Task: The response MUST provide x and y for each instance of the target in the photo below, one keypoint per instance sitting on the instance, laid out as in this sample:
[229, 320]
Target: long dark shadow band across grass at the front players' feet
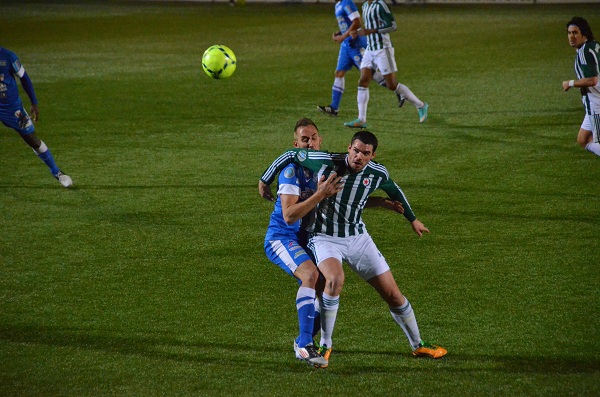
[166, 347]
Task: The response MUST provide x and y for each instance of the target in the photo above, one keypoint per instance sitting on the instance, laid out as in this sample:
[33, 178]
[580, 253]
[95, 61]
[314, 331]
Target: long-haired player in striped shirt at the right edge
[587, 70]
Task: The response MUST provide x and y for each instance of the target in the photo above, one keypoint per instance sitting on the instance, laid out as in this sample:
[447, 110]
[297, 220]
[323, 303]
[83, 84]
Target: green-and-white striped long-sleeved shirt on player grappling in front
[341, 215]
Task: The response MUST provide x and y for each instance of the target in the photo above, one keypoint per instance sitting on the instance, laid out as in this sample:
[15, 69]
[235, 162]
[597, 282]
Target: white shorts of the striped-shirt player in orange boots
[359, 252]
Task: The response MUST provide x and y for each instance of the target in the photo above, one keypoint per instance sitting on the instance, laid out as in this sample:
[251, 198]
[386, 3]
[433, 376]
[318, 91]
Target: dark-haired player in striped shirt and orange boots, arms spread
[339, 233]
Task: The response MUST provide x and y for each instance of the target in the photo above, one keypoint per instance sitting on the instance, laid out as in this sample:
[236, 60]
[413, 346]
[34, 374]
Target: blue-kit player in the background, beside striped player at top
[350, 54]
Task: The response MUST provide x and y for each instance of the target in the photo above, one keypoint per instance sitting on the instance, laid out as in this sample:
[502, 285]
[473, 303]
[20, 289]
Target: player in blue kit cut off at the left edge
[13, 114]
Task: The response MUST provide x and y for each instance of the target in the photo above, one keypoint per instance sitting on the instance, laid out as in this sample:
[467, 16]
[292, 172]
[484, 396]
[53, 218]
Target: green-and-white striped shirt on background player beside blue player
[377, 15]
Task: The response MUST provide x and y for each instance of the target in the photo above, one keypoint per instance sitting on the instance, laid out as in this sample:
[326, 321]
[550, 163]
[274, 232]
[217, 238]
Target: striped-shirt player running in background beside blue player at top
[379, 55]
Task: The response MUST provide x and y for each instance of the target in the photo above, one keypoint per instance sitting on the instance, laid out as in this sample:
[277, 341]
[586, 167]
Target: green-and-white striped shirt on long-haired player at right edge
[587, 65]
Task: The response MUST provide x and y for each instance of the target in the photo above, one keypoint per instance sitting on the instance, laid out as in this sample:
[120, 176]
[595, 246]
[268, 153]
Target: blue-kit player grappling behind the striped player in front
[298, 193]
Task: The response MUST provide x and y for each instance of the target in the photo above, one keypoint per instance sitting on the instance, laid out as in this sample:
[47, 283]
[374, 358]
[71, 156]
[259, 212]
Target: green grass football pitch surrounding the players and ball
[148, 278]
